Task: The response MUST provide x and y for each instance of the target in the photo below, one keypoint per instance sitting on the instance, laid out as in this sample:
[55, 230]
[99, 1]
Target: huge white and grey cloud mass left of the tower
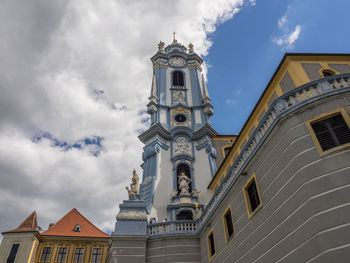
[75, 70]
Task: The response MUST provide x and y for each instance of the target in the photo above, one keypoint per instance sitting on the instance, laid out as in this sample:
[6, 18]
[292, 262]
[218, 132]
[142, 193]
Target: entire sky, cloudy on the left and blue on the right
[75, 77]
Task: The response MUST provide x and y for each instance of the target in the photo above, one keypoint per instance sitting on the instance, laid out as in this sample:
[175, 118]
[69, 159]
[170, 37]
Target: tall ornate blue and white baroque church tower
[178, 157]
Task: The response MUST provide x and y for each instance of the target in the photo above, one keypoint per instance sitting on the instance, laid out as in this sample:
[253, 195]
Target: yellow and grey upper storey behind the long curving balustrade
[295, 70]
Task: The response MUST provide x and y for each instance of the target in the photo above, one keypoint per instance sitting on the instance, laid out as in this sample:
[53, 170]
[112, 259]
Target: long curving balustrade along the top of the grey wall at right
[281, 106]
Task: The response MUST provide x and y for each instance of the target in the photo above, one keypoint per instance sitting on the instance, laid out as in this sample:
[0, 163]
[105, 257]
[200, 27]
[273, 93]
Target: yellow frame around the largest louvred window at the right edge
[322, 117]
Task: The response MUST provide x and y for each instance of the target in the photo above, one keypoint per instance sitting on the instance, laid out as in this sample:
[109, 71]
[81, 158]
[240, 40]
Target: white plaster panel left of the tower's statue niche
[163, 186]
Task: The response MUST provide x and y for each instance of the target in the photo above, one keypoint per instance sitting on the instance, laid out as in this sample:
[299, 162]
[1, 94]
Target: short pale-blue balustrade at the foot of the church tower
[169, 227]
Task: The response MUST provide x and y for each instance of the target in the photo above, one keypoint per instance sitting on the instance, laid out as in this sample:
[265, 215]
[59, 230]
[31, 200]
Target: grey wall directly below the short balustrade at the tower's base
[173, 249]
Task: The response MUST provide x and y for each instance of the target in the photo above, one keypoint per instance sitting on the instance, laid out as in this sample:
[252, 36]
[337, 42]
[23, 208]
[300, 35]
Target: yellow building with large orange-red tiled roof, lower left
[73, 239]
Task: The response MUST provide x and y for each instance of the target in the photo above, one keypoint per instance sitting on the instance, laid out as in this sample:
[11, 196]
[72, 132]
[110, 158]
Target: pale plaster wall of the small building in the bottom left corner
[27, 246]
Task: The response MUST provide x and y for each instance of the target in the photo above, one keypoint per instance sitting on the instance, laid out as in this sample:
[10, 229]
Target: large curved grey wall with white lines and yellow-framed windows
[305, 213]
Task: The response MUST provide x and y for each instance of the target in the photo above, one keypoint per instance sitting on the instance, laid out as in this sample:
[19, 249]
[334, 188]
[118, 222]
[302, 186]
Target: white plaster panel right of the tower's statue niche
[202, 175]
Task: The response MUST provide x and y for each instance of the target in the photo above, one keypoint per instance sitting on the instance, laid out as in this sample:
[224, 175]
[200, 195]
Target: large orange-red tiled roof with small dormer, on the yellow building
[65, 227]
